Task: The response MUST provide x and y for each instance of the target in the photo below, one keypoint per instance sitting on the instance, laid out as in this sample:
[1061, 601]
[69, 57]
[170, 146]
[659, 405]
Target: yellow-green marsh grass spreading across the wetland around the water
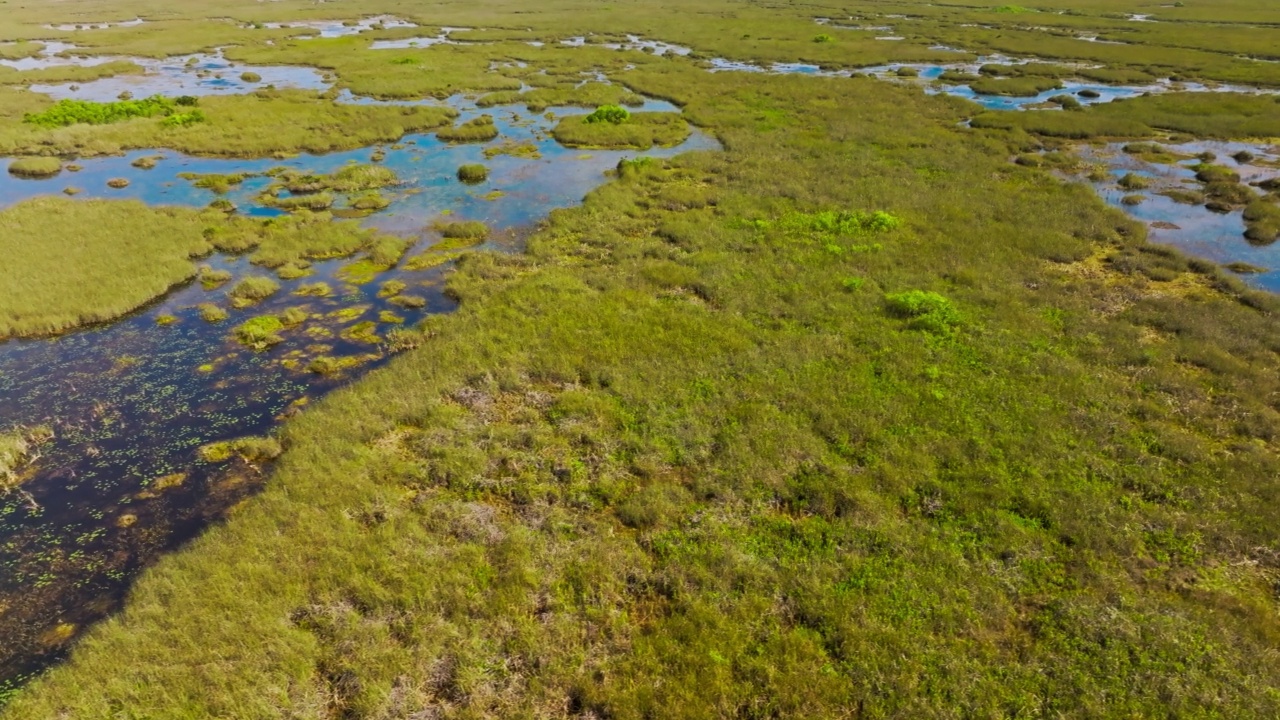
[857, 418]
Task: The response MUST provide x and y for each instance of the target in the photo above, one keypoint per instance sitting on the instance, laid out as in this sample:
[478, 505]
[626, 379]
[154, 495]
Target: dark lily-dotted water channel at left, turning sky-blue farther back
[132, 402]
